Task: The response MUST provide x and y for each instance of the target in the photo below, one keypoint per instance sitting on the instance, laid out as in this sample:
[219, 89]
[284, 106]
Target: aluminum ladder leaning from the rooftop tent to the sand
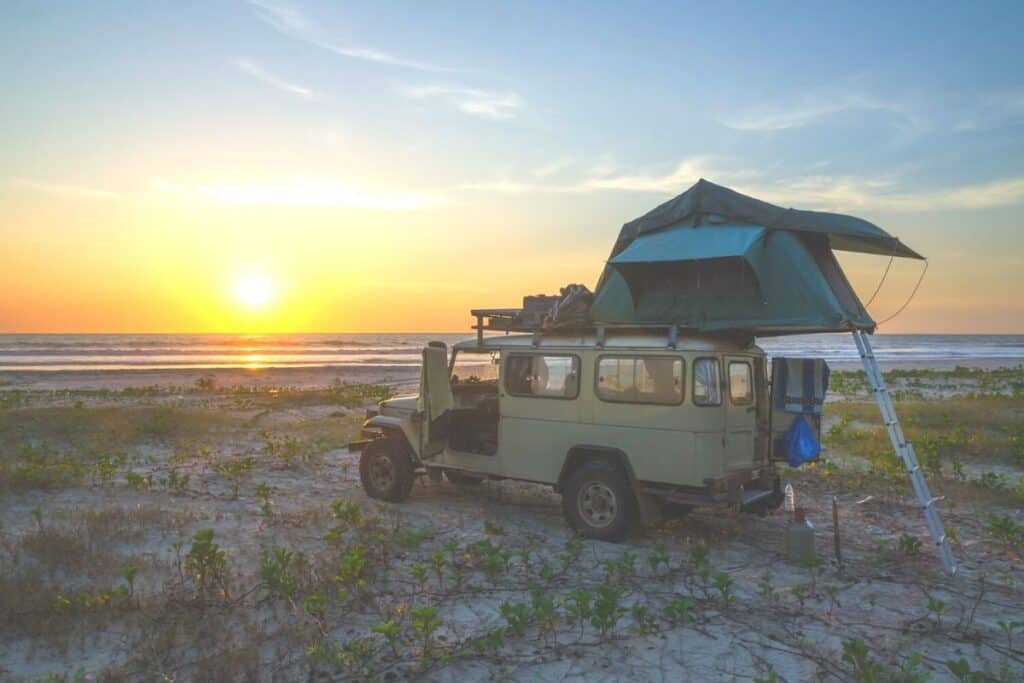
[905, 450]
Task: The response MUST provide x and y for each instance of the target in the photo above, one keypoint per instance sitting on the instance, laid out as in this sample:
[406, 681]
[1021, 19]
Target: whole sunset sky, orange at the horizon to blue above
[286, 166]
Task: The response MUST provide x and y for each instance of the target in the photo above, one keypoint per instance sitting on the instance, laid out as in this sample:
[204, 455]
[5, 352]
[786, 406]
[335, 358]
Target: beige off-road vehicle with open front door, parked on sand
[623, 424]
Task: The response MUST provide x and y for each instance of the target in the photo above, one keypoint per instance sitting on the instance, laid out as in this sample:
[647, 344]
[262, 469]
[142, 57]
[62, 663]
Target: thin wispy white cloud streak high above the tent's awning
[814, 109]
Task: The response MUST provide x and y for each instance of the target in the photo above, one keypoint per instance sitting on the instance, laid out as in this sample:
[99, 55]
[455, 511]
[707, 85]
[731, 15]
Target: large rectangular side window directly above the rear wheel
[641, 380]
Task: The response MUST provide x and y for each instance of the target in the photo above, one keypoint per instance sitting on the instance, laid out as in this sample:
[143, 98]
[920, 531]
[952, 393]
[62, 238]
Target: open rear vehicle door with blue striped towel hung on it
[798, 391]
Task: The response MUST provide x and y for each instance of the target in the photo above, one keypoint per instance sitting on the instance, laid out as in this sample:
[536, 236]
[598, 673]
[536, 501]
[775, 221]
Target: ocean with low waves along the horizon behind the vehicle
[402, 352]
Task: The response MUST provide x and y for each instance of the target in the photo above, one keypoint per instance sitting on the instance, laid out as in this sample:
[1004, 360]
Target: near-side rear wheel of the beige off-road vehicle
[599, 502]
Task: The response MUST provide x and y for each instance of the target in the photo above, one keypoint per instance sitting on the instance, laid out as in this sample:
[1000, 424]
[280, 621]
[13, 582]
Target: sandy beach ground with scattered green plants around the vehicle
[263, 468]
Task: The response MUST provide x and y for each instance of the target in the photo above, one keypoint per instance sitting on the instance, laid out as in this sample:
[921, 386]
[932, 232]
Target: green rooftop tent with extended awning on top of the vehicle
[715, 261]
